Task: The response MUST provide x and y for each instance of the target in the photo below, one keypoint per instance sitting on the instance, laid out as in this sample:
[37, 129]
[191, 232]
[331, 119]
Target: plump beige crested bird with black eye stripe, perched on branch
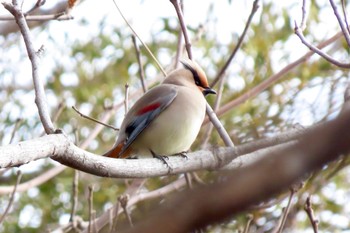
[165, 120]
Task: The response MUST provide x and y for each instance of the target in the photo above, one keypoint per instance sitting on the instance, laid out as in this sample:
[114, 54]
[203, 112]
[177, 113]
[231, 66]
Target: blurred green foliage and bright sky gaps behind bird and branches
[89, 69]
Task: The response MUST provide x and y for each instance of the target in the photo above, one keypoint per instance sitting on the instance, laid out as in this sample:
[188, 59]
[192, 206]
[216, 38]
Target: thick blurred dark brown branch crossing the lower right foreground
[251, 185]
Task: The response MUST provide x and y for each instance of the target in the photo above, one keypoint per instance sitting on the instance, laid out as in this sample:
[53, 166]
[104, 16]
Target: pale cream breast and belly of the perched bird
[177, 127]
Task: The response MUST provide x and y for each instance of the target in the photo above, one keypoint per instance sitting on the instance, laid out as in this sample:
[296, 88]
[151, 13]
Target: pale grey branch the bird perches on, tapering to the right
[62, 150]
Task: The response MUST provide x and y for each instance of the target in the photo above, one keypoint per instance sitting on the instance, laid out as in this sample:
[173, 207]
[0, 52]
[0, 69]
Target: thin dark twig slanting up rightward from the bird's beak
[255, 7]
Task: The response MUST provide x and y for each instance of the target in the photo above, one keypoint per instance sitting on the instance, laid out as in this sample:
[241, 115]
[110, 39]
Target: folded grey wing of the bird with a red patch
[145, 111]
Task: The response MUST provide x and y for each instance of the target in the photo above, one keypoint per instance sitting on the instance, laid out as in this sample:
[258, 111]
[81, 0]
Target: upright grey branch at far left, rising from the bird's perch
[40, 96]
